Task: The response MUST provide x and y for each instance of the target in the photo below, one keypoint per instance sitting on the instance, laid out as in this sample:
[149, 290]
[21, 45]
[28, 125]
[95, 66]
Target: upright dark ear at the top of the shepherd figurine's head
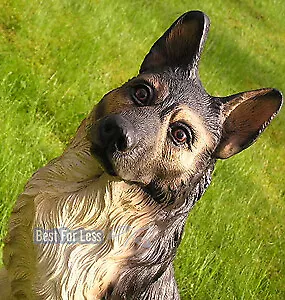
[181, 45]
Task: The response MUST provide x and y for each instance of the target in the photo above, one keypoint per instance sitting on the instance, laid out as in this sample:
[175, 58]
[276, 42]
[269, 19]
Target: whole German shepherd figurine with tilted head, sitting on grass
[104, 220]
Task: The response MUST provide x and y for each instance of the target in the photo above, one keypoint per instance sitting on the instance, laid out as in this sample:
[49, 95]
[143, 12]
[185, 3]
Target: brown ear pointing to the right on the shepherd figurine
[246, 115]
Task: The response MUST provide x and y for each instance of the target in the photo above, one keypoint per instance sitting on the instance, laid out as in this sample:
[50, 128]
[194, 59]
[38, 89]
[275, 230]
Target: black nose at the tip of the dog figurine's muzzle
[116, 133]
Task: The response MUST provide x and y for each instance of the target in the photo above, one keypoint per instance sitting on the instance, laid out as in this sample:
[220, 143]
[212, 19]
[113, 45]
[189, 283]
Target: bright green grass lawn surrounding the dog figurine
[57, 59]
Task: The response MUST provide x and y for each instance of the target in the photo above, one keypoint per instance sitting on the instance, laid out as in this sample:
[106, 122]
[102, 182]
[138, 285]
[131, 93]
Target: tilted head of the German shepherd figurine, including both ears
[162, 126]
